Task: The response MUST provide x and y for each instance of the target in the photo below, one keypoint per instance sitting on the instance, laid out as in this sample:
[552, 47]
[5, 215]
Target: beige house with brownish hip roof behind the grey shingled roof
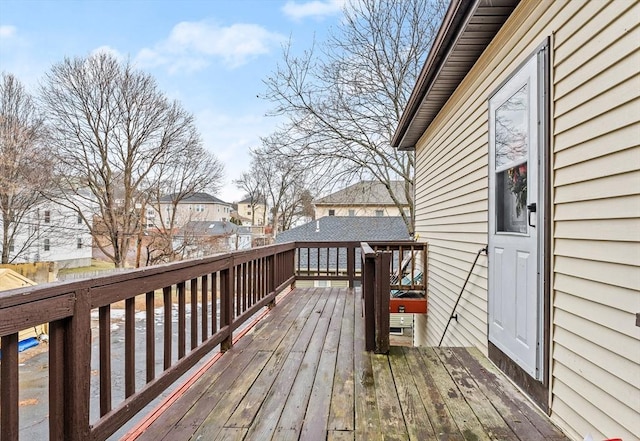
[366, 198]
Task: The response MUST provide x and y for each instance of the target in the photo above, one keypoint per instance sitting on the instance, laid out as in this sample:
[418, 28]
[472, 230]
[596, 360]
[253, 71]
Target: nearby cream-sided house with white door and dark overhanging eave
[526, 138]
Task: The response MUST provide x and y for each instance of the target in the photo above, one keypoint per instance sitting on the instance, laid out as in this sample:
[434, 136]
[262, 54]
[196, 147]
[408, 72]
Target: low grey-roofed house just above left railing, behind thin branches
[204, 238]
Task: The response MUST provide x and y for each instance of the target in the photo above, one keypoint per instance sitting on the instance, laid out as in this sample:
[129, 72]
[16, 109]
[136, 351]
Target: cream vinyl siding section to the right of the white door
[596, 353]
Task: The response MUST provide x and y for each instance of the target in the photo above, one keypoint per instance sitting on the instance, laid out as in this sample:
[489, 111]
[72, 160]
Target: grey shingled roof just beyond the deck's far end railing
[348, 228]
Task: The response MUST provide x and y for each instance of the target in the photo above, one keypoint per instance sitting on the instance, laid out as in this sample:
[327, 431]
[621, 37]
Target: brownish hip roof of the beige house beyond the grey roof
[365, 193]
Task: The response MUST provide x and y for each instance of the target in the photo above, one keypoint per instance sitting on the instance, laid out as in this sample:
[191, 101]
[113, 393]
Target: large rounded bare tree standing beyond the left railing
[114, 132]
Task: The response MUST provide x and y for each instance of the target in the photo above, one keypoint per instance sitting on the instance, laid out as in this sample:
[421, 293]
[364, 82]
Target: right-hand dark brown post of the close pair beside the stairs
[381, 301]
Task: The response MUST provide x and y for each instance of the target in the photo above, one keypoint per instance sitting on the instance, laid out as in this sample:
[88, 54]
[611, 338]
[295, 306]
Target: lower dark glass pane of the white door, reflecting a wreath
[511, 200]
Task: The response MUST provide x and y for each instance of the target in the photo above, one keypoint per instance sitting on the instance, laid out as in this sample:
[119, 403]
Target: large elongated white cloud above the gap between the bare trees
[191, 46]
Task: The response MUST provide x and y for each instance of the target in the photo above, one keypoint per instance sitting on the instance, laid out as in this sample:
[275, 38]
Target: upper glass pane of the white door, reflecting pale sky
[511, 132]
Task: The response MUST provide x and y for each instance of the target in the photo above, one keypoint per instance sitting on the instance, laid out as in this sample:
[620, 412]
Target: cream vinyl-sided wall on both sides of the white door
[595, 237]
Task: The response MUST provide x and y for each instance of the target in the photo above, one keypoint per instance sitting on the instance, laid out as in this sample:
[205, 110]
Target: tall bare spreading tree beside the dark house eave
[344, 104]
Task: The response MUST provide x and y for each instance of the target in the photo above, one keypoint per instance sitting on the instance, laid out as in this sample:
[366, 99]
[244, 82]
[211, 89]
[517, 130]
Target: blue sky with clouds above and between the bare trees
[212, 55]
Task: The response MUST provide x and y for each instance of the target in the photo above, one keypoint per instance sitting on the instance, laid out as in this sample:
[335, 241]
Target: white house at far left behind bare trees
[53, 233]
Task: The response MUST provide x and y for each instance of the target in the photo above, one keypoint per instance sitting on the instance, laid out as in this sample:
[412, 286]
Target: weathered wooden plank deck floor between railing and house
[302, 373]
